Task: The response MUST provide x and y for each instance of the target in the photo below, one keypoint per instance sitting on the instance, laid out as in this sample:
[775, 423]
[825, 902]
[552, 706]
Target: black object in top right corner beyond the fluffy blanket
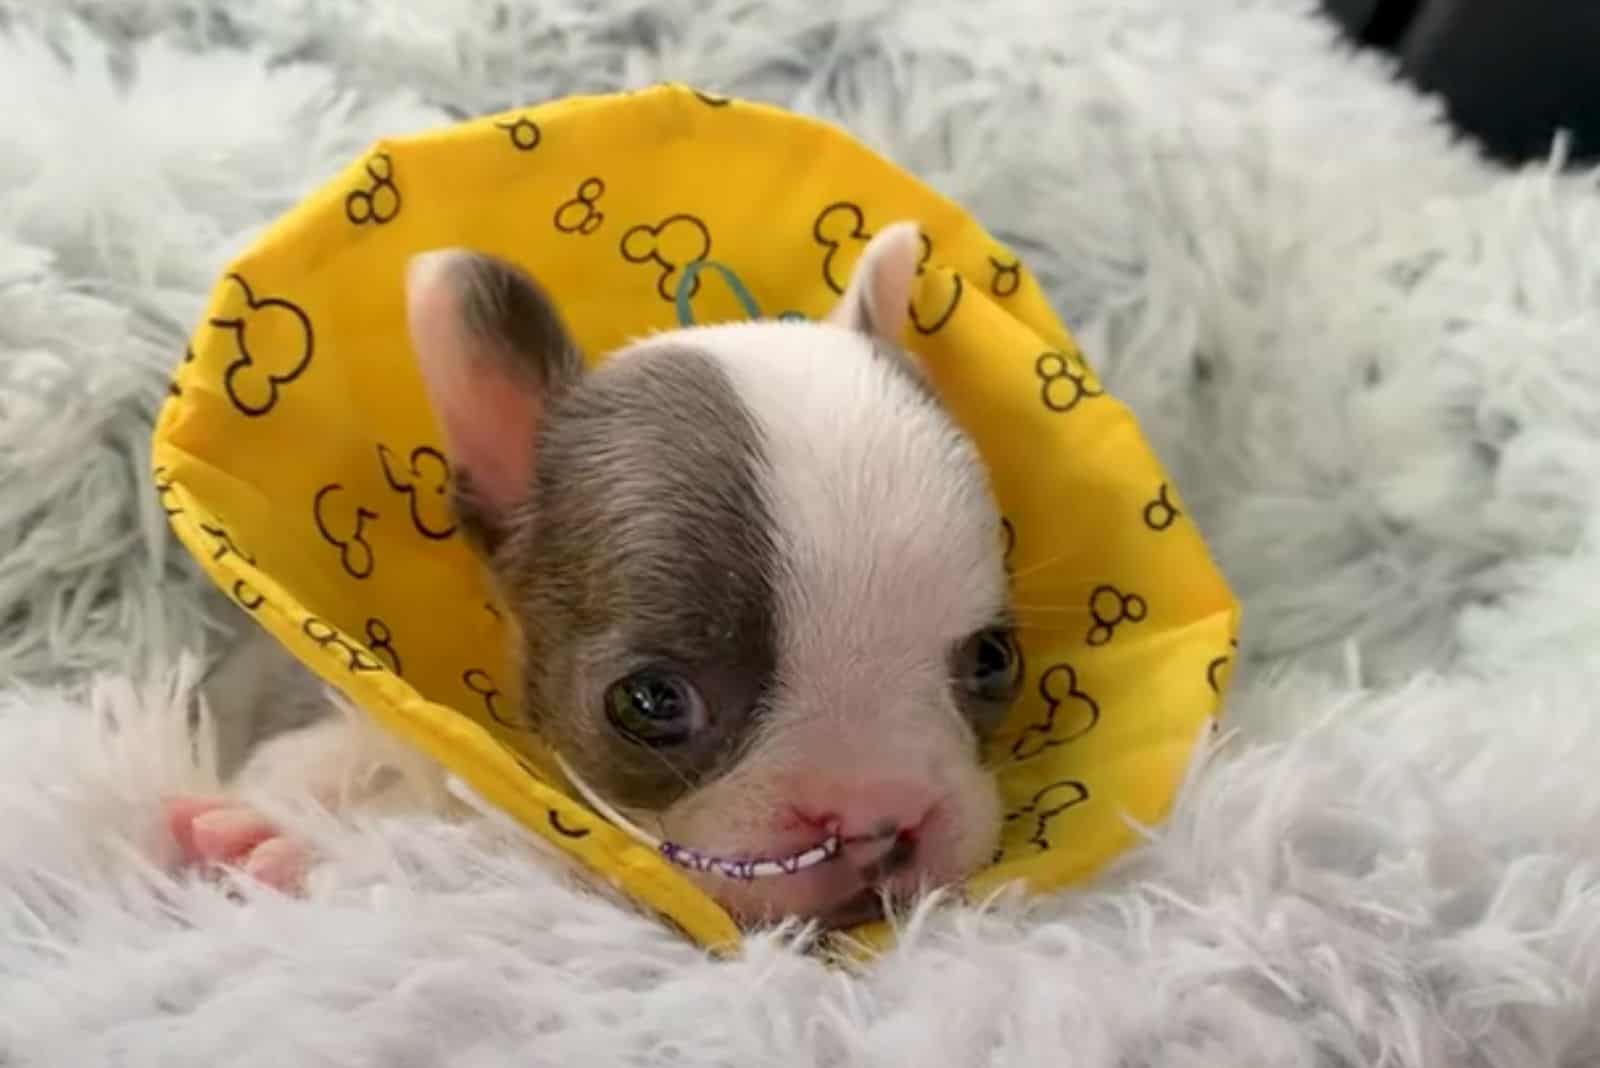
[1513, 73]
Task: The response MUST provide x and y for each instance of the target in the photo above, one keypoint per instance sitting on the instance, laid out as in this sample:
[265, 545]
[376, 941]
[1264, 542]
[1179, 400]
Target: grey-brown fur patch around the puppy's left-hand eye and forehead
[650, 548]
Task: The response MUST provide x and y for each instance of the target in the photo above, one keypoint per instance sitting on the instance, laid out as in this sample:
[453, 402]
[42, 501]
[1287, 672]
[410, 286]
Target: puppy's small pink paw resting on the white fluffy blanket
[217, 834]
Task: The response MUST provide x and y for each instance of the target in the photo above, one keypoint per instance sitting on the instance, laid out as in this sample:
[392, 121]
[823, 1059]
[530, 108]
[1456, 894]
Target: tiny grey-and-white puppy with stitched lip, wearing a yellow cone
[758, 576]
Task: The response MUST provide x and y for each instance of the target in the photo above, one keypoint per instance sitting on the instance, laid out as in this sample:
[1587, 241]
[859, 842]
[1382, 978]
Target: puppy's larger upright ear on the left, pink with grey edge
[494, 353]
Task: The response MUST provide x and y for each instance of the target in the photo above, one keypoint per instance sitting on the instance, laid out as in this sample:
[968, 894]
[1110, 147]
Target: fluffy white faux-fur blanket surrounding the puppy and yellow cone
[1370, 359]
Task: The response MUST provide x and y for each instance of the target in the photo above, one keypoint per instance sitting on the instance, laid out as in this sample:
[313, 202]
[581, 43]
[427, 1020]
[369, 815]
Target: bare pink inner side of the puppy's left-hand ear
[487, 408]
